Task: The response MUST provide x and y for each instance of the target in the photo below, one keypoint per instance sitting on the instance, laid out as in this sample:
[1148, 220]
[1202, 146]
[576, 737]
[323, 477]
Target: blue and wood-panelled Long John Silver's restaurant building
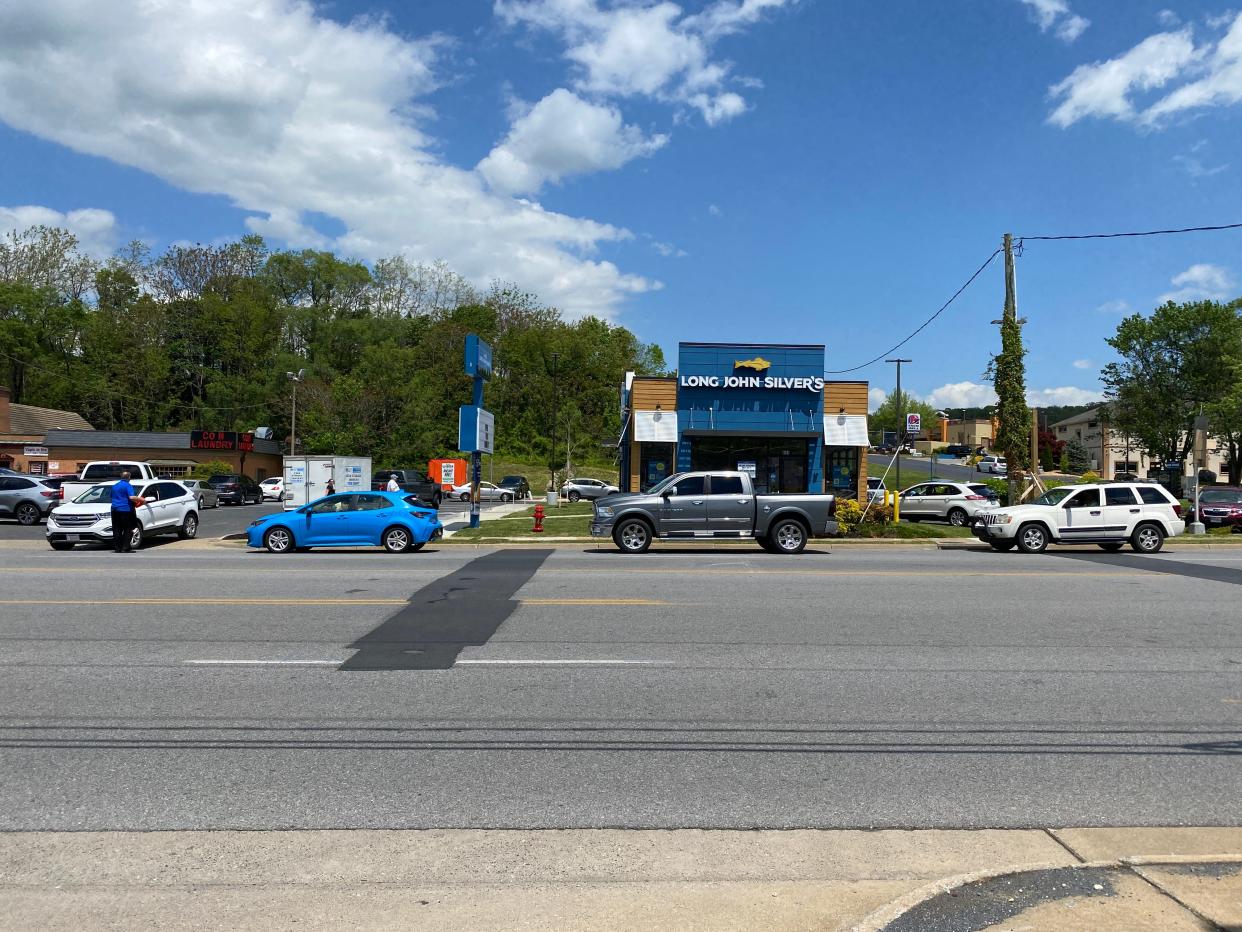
[759, 408]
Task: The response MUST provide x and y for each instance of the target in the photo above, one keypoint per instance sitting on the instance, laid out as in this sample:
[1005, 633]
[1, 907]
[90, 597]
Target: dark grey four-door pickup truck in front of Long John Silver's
[714, 506]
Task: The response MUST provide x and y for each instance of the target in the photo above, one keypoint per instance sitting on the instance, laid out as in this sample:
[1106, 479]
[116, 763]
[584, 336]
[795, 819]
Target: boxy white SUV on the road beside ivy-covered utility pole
[1110, 515]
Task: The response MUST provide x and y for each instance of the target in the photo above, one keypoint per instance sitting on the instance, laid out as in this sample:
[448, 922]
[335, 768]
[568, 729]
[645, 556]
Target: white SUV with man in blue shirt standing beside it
[171, 509]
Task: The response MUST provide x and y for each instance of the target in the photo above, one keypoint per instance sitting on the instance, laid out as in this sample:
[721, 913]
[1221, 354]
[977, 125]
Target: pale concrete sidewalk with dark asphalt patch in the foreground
[459, 880]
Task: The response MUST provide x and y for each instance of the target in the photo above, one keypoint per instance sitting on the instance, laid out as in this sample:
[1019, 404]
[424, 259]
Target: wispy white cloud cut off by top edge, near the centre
[646, 50]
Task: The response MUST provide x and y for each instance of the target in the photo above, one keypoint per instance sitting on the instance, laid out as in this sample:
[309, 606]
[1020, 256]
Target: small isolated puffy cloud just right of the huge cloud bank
[560, 137]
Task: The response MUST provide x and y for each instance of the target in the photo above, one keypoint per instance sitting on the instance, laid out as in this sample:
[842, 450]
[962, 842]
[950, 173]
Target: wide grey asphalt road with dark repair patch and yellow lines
[196, 685]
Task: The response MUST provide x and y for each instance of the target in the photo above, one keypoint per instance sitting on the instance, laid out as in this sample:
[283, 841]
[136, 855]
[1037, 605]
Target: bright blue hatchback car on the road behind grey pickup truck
[396, 521]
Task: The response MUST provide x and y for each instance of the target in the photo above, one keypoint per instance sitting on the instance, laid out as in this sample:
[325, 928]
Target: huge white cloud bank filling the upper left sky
[286, 112]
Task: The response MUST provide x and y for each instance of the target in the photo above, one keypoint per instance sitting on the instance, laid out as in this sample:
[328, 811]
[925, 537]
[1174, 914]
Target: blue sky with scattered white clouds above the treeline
[779, 171]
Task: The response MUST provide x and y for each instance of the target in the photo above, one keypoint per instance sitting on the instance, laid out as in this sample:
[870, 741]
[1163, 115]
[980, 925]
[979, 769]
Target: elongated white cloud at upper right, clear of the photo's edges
[1105, 89]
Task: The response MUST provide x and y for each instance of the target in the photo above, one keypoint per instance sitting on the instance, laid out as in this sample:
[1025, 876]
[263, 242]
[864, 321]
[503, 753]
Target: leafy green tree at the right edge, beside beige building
[1176, 365]
